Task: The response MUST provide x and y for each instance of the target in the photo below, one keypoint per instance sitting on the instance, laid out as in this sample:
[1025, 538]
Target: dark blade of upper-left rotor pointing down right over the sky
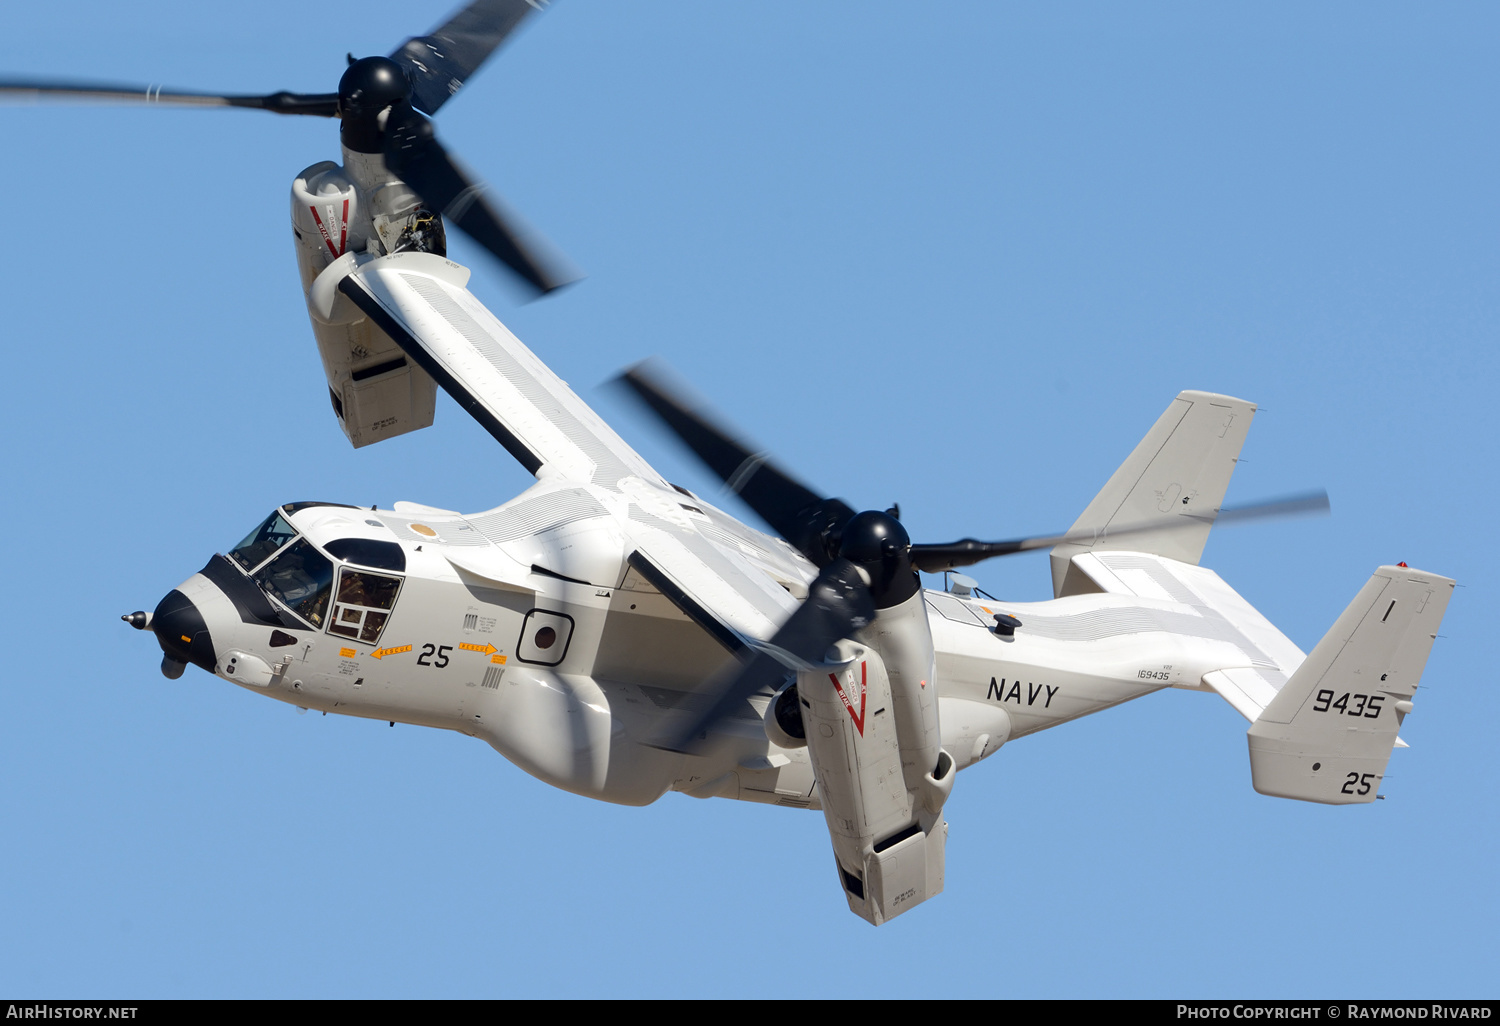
[415, 154]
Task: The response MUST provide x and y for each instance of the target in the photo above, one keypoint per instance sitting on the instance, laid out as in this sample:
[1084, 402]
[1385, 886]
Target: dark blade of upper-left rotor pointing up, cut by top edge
[445, 59]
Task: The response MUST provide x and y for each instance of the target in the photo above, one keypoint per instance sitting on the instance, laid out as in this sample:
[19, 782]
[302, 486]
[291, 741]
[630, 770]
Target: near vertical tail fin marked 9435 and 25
[1330, 731]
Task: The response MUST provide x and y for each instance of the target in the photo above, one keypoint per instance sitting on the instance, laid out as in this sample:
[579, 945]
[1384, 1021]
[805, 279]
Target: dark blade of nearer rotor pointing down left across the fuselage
[838, 605]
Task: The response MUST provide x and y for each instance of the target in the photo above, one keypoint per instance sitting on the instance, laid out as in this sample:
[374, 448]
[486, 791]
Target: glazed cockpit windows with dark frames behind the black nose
[305, 581]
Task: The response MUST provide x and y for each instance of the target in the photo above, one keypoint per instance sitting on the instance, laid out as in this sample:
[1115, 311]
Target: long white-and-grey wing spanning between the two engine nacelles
[736, 583]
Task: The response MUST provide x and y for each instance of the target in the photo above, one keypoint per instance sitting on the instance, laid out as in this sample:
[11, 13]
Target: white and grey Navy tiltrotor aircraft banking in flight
[619, 637]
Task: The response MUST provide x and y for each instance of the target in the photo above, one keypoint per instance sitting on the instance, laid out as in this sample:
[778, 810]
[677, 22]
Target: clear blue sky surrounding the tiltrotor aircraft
[958, 256]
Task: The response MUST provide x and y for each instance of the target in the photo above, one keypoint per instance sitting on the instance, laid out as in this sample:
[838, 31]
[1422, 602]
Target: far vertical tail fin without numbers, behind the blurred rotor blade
[1180, 470]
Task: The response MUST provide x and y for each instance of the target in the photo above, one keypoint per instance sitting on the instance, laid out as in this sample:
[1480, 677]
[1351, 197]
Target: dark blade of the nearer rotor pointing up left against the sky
[794, 511]
